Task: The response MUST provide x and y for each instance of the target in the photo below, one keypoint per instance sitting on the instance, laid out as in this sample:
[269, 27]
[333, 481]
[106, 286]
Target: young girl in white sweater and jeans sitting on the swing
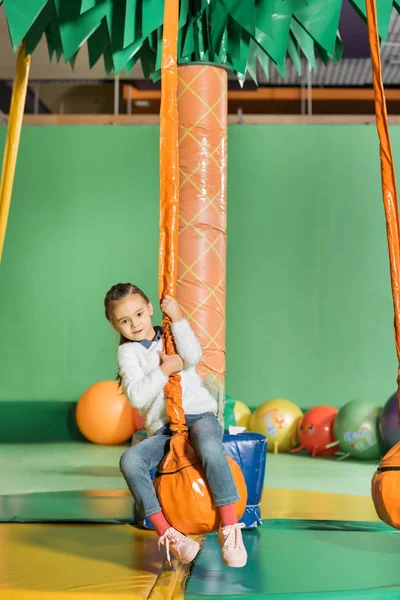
[144, 370]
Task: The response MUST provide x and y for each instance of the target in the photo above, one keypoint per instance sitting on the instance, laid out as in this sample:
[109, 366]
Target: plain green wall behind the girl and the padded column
[309, 310]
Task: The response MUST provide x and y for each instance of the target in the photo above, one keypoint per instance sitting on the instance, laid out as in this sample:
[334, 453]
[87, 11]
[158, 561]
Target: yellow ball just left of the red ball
[277, 419]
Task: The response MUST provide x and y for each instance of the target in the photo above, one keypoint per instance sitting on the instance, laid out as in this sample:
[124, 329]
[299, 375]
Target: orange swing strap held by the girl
[169, 198]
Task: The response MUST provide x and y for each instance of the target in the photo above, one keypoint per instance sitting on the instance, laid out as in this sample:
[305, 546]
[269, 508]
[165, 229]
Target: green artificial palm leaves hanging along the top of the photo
[233, 33]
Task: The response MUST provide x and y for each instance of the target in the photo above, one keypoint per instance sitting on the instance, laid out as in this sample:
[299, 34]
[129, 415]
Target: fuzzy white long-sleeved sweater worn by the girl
[143, 381]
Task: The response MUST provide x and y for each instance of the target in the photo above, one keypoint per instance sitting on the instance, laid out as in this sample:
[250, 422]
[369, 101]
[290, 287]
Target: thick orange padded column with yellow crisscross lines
[202, 108]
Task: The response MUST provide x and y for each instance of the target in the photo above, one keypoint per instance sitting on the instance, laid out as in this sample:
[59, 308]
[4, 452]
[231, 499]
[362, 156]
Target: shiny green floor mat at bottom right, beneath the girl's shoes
[304, 559]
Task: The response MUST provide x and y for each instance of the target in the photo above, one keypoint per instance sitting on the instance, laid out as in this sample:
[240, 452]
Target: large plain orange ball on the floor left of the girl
[104, 415]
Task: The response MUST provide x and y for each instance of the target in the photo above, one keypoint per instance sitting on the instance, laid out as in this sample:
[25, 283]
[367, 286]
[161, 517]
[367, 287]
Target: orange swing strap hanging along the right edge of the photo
[389, 190]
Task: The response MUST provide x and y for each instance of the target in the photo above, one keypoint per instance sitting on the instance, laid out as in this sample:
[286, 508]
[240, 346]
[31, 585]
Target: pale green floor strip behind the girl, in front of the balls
[71, 466]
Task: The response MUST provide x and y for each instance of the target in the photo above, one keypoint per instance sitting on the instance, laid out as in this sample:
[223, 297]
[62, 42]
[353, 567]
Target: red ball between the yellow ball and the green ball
[315, 430]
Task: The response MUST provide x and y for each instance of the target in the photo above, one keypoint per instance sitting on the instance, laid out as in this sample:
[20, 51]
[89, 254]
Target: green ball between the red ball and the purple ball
[357, 429]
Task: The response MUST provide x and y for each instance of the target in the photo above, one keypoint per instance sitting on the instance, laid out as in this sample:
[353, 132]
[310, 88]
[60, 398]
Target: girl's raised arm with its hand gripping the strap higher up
[187, 344]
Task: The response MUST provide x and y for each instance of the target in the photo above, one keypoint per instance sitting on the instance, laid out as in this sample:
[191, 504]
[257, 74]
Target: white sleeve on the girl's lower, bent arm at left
[140, 389]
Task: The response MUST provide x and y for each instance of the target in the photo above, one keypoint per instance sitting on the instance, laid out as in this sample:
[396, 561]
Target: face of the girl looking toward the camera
[132, 318]
